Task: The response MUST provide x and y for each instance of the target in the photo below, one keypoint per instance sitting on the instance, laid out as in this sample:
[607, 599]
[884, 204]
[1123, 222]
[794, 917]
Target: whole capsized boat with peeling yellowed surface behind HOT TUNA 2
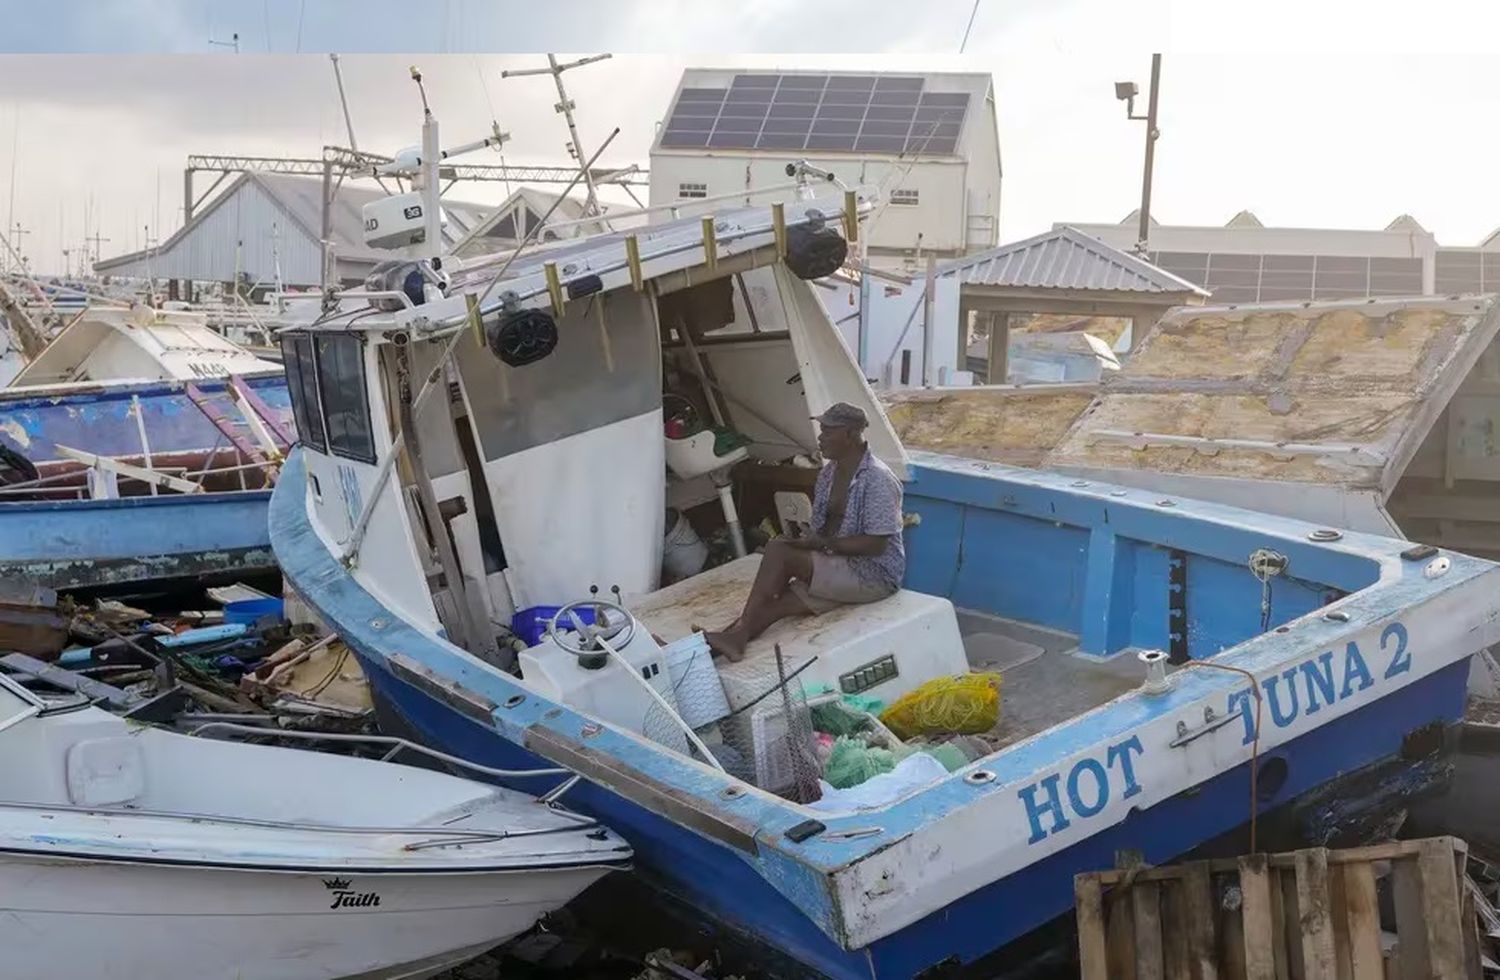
[1376, 415]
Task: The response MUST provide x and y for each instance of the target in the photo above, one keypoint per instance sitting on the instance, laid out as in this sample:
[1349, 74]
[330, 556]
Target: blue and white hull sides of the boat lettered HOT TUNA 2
[965, 867]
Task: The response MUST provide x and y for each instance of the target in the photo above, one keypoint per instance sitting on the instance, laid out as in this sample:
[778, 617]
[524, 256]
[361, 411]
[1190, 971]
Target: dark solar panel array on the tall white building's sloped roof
[841, 113]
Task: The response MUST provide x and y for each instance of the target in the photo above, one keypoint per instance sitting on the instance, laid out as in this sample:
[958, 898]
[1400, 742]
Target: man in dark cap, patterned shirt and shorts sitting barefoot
[856, 555]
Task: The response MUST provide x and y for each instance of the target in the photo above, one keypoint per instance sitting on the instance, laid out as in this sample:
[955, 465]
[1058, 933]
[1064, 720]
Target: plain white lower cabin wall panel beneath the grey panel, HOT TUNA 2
[584, 511]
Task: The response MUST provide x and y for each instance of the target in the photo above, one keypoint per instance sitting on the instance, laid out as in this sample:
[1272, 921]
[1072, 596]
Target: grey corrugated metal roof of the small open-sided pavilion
[1066, 259]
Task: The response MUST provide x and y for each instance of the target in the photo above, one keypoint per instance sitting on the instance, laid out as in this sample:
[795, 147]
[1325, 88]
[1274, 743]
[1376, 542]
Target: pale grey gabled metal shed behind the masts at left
[268, 229]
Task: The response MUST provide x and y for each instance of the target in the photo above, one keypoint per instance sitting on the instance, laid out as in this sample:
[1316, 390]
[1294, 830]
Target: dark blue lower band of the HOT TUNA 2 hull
[715, 880]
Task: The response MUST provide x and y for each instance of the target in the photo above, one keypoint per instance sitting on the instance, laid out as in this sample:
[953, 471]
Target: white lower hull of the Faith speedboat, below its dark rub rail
[203, 924]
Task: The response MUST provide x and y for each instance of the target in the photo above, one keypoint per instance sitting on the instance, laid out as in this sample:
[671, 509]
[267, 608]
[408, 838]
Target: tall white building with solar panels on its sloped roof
[929, 140]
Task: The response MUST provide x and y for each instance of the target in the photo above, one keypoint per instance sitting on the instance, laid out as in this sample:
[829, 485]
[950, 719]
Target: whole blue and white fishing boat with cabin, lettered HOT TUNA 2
[494, 445]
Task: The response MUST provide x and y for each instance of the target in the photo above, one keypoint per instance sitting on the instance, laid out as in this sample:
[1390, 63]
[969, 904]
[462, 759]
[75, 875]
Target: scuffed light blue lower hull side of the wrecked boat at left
[134, 541]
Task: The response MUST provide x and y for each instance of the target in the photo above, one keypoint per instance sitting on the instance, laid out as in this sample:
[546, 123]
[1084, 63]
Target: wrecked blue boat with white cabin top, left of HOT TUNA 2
[118, 464]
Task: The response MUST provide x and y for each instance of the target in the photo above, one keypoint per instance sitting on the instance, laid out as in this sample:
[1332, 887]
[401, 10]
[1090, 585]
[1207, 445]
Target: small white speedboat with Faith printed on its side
[133, 852]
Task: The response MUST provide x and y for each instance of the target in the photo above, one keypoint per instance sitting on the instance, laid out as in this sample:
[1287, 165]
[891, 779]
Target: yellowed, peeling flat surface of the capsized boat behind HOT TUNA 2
[1331, 395]
